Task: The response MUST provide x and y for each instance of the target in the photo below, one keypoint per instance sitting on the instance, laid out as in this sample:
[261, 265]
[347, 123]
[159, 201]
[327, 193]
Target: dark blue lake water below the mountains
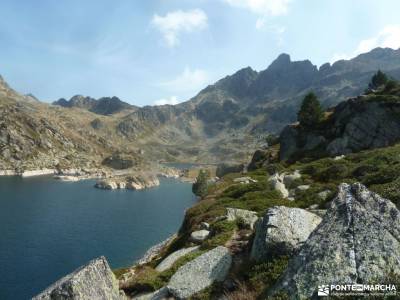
[49, 228]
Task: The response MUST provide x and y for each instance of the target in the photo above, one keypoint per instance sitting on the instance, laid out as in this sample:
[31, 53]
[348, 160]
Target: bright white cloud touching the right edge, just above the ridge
[389, 37]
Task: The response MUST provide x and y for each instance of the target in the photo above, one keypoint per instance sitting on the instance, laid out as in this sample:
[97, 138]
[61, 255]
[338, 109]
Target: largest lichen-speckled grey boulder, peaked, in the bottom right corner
[358, 241]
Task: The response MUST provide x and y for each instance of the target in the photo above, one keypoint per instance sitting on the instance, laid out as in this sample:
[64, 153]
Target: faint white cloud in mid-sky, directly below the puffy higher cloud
[189, 80]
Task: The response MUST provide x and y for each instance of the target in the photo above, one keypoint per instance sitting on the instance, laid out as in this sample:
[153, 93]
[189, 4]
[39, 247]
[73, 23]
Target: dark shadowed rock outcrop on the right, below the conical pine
[366, 122]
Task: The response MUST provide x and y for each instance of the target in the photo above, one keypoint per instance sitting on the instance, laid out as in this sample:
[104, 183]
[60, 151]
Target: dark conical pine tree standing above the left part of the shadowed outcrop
[310, 113]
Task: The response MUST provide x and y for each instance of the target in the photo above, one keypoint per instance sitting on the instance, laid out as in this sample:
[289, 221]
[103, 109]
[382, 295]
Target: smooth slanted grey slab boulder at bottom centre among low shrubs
[200, 273]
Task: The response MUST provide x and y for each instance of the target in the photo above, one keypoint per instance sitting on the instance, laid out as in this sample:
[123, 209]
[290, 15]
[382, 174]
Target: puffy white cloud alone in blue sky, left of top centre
[174, 23]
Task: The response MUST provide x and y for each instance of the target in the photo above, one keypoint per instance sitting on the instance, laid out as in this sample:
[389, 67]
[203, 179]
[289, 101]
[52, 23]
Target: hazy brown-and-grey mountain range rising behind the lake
[224, 122]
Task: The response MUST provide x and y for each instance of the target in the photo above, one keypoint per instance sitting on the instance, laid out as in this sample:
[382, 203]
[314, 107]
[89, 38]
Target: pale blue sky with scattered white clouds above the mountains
[157, 52]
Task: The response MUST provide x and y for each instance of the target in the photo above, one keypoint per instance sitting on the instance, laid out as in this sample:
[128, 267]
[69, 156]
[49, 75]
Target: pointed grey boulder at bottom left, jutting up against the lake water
[93, 281]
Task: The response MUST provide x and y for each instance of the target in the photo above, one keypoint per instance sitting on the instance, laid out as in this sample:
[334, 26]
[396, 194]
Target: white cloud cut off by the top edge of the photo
[262, 7]
